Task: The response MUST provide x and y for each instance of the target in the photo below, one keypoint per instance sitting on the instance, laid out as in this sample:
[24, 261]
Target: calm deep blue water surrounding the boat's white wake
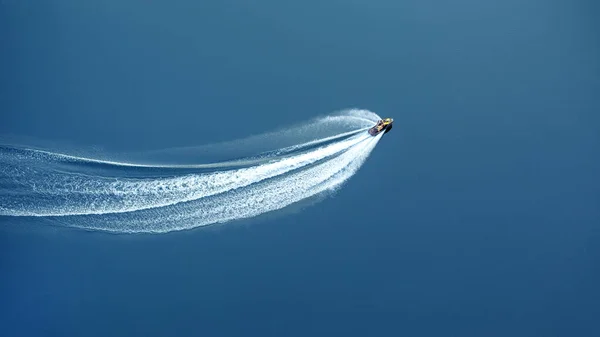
[477, 215]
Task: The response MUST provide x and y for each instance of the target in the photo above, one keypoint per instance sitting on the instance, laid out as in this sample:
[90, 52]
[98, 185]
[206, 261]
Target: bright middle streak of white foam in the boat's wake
[71, 194]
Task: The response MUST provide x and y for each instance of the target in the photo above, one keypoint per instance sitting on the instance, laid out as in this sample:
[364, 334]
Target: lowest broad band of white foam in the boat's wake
[247, 202]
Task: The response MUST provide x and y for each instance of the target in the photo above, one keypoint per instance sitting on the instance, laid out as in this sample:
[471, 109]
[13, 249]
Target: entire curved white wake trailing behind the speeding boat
[138, 197]
